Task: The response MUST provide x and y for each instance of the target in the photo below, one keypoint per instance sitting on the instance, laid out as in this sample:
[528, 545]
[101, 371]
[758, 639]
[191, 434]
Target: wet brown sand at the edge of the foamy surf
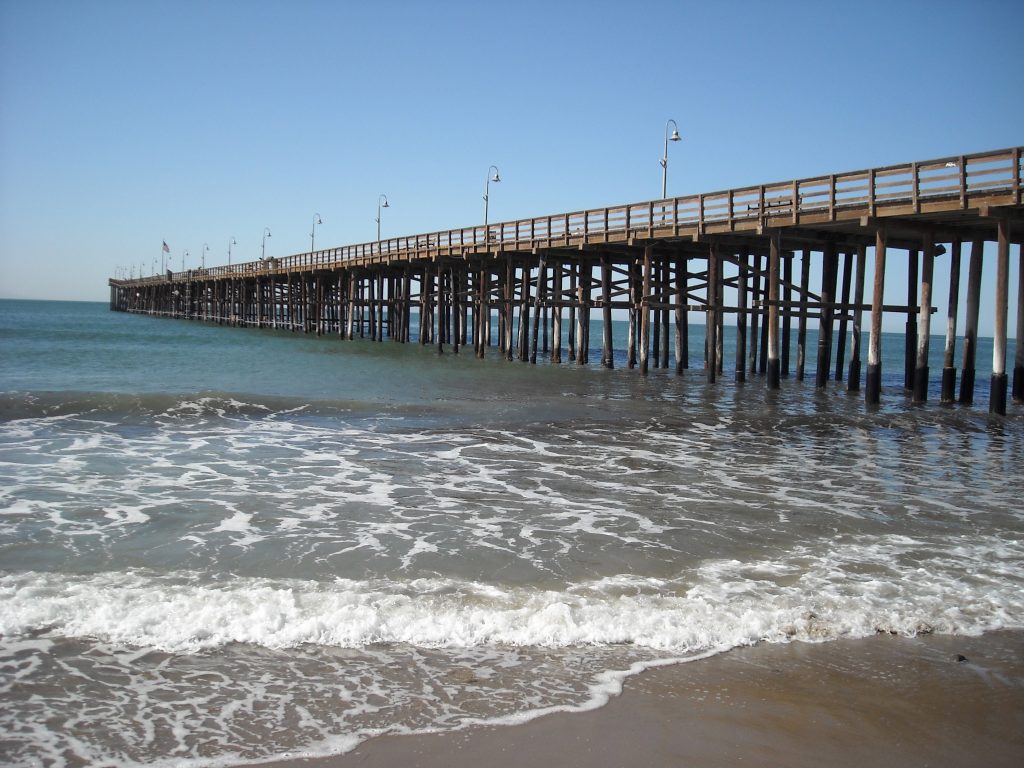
[933, 701]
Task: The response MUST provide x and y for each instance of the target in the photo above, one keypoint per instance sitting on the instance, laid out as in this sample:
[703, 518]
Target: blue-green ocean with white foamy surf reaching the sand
[224, 546]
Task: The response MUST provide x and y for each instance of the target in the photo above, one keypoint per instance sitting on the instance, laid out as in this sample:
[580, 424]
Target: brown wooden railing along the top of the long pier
[945, 185]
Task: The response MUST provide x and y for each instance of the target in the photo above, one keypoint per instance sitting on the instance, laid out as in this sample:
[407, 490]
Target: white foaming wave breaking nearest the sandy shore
[852, 592]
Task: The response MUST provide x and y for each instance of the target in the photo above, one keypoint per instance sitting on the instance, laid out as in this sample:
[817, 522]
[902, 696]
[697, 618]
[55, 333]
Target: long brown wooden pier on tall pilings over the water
[660, 261]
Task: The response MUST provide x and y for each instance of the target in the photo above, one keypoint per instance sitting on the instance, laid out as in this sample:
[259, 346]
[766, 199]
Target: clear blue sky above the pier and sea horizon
[127, 124]
